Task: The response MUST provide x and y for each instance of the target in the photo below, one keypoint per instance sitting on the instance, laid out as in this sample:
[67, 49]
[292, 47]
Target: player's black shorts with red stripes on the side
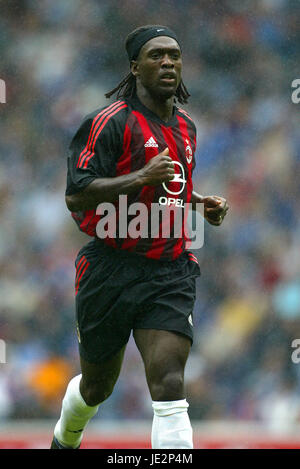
[117, 292]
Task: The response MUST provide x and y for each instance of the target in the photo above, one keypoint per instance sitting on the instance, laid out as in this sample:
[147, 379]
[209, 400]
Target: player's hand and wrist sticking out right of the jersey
[215, 207]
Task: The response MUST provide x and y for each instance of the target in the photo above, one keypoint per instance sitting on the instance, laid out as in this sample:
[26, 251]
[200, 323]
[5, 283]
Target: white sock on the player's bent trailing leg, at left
[75, 415]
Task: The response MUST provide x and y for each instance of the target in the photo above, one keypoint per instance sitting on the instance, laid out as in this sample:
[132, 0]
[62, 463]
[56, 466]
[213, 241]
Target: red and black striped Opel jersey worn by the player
[122, 138]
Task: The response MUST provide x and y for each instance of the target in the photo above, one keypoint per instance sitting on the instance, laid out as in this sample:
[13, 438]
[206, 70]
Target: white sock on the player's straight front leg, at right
[171, 426]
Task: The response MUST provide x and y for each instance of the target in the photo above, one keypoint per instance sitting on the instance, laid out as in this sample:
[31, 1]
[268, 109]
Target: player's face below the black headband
[158, 66]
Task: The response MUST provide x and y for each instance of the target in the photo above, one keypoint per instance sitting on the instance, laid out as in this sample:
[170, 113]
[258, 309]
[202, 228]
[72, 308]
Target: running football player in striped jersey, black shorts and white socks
[141, 146]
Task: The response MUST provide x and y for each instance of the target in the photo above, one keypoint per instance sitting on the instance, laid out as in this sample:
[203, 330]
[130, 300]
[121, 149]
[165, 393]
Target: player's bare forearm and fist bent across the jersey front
[158, 170]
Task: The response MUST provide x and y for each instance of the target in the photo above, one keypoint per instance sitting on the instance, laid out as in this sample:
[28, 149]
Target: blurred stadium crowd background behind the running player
[58, 59]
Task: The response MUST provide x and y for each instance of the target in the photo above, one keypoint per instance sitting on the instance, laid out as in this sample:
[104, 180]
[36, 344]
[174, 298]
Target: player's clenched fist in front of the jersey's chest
[158, 170]
